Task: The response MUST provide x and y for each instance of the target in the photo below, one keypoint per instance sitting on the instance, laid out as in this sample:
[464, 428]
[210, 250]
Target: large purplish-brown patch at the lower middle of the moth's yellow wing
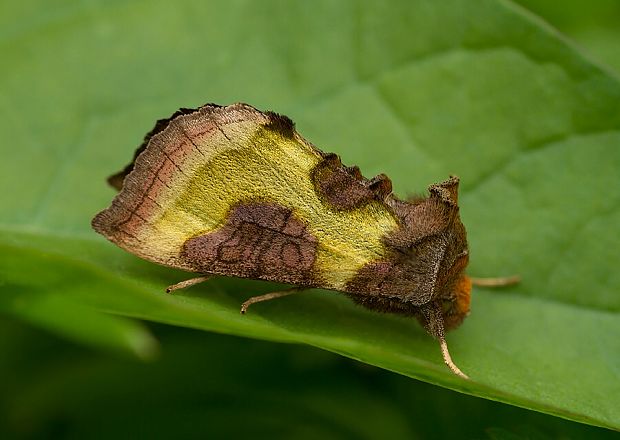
[259, 240]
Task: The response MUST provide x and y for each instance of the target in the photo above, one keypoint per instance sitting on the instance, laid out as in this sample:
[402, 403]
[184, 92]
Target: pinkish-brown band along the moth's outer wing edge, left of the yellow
[167, 161]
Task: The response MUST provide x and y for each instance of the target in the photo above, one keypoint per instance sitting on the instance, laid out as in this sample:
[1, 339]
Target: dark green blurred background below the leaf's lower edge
[210, 386]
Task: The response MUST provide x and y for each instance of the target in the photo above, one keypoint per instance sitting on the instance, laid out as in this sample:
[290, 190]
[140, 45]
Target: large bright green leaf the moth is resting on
[415, 89]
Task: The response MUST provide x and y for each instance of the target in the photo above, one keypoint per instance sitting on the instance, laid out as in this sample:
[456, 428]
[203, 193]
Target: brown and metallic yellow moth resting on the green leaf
[231, 190]
